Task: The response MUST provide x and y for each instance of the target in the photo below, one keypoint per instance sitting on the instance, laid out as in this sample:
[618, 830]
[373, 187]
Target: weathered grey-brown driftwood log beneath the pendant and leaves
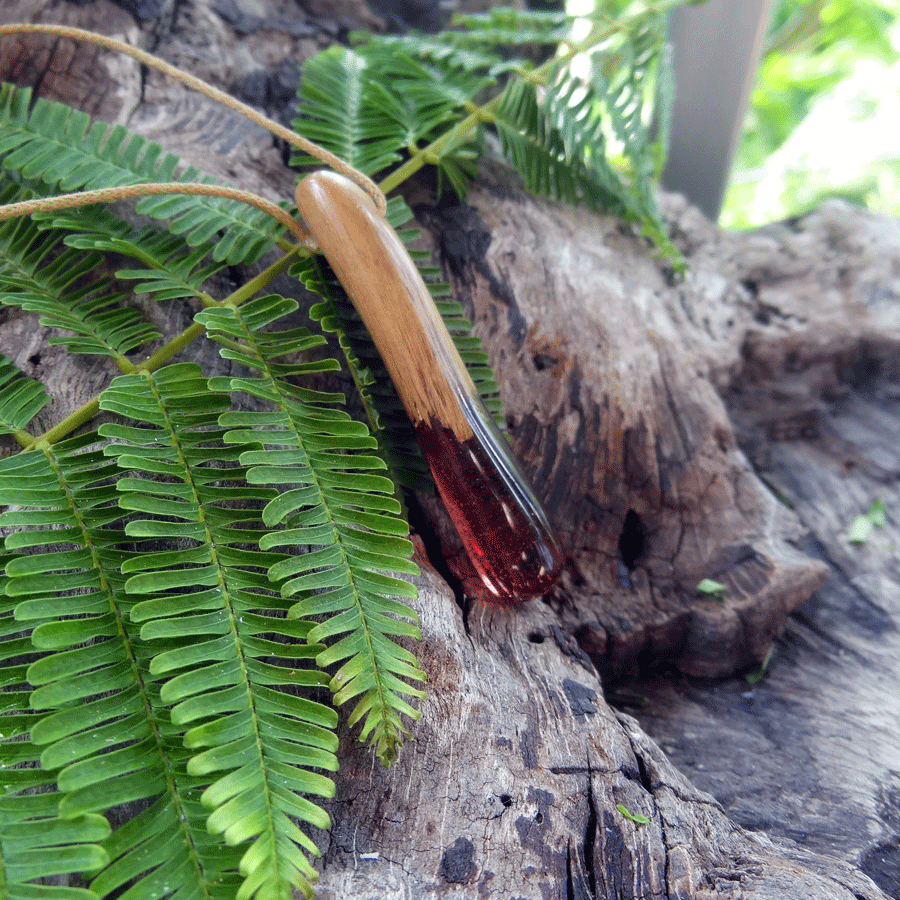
[728, 424]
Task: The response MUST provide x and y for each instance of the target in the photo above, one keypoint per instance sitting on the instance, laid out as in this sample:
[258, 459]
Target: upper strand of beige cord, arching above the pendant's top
[197, 84]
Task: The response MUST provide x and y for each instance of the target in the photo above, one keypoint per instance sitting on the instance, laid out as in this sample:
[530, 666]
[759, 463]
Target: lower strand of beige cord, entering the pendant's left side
[109, 195]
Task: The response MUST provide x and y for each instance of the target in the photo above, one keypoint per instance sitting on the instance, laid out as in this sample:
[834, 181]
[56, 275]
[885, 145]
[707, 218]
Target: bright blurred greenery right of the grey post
[820, 118]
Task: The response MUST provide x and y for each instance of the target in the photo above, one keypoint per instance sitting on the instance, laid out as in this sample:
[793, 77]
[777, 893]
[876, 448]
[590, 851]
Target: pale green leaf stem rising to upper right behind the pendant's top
[485, 114]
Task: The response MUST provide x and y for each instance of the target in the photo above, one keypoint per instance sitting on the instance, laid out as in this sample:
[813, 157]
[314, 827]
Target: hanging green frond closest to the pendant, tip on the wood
[333, 501]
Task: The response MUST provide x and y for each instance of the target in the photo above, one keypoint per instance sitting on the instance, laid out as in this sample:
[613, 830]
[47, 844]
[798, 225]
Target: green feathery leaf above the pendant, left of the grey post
[588, 140]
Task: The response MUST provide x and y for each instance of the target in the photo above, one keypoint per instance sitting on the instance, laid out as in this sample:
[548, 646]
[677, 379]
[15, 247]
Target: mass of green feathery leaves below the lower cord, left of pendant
[164, 576]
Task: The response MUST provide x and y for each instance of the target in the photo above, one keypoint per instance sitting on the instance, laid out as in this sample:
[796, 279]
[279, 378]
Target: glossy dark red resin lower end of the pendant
[502, 525]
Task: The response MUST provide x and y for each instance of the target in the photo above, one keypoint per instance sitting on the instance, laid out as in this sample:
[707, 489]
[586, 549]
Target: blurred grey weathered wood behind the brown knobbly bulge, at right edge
[812, 754]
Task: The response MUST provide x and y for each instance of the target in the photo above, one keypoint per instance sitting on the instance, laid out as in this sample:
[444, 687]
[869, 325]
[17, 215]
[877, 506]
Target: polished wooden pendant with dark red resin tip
[501, 523]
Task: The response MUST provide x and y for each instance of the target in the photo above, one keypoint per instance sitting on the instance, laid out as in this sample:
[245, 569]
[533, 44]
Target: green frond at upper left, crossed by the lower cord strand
[54, 145]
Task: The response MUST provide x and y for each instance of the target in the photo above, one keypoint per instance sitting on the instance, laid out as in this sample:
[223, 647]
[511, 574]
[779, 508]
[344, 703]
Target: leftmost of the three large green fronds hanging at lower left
[94, 715]
